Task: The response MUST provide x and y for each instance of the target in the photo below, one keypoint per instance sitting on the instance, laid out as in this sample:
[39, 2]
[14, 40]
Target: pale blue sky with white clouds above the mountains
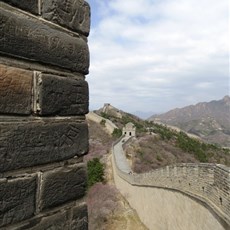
[156, 55]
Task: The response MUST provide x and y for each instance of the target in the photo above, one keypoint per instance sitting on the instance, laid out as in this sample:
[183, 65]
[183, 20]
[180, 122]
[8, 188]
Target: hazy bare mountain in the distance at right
[208, 120]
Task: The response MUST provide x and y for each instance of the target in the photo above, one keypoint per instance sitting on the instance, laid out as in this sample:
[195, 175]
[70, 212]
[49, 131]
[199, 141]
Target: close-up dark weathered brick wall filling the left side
[44, 58]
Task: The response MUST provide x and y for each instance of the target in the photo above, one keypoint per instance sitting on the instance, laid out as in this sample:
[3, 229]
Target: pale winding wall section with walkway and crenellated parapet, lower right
[183, 196]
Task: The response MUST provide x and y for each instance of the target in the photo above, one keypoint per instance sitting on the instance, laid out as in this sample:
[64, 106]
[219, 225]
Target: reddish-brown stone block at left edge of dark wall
[15, 90]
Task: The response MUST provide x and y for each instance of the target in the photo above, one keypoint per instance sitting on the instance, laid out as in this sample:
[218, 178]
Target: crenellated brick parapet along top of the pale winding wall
[207, 183]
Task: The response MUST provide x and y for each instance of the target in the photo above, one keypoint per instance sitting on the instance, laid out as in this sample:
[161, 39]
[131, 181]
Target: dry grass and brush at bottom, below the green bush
[108, 210]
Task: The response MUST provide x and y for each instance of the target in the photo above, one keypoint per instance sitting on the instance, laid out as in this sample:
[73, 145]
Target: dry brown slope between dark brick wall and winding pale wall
[107, 208]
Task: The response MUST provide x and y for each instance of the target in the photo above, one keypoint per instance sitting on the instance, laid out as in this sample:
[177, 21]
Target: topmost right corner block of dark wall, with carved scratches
[74, 14]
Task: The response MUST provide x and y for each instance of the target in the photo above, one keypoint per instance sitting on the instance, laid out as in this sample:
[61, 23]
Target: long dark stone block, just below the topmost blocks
[27, 37]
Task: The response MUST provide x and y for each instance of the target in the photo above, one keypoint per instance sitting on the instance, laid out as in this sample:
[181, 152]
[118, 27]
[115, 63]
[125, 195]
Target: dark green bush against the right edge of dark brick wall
[95, 170]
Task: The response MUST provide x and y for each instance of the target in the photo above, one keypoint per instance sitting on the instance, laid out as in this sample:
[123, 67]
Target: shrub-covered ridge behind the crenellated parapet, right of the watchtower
[157, 145]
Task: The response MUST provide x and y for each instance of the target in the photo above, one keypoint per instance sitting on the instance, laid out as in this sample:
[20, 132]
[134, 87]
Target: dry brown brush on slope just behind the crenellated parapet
[150, 152]
